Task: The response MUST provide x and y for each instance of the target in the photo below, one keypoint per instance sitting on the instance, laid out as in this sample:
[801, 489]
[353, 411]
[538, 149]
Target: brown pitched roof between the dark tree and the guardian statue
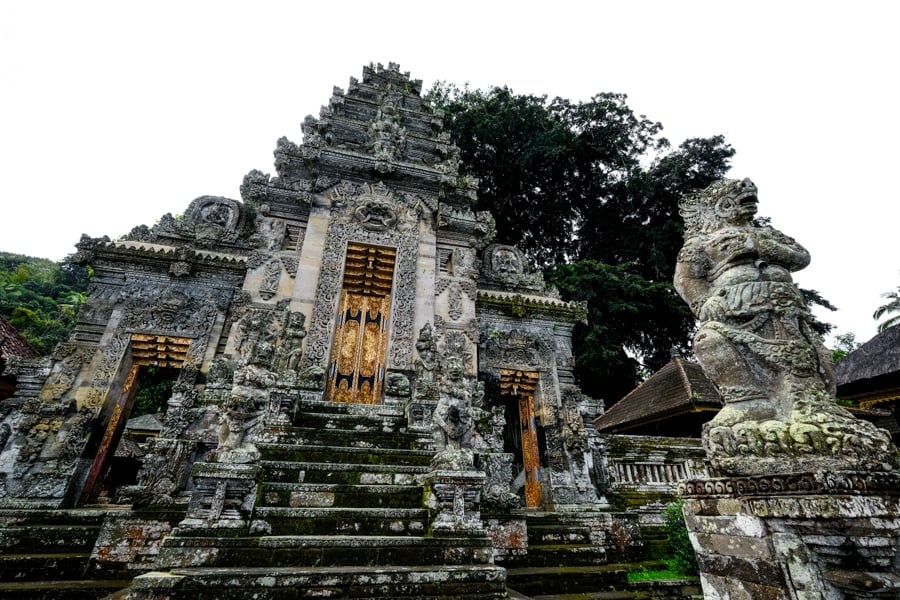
[679, 387]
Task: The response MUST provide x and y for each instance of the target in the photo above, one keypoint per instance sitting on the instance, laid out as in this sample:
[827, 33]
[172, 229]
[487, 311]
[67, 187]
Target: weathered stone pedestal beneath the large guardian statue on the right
[801, 536]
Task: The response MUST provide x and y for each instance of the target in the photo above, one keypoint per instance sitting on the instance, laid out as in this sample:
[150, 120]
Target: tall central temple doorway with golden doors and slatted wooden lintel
[356, 368]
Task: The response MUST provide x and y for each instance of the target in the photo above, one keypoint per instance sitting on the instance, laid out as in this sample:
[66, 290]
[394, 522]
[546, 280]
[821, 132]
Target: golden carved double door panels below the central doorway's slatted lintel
[356, 369]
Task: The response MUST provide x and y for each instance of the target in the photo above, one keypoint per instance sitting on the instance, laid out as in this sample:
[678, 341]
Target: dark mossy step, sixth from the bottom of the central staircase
[358, 456]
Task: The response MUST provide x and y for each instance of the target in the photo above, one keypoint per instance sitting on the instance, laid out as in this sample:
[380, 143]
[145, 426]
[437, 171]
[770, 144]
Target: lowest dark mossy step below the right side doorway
[536, 581]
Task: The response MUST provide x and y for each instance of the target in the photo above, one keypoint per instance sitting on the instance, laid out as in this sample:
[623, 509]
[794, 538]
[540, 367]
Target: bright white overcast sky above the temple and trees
[114, 113]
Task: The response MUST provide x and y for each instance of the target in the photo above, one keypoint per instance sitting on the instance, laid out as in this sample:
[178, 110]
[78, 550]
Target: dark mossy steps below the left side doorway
[45, 554]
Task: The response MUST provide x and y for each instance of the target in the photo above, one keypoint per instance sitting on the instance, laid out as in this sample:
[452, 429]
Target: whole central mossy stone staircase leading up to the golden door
[341, 496]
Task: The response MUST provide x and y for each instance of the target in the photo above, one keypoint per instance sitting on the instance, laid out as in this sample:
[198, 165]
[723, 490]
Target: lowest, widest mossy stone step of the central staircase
[426, 583]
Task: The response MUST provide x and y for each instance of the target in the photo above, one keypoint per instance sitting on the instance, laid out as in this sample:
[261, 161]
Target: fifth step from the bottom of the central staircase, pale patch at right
[341, 473]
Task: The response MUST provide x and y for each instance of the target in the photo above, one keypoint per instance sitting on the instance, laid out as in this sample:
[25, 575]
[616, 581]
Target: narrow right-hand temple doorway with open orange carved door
[517, 388]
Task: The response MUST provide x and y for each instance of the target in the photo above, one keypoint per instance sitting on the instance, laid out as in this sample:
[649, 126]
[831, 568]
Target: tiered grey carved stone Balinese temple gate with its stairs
[368, 396]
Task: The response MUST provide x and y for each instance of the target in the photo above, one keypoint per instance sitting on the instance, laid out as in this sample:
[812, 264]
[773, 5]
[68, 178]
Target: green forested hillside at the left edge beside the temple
[40, 298]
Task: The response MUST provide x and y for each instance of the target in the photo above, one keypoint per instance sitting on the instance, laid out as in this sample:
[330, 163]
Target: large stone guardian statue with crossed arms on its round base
[755, 343]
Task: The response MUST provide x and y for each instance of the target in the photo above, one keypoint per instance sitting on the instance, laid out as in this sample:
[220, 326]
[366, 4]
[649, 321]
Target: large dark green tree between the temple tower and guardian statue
[590, 191]
